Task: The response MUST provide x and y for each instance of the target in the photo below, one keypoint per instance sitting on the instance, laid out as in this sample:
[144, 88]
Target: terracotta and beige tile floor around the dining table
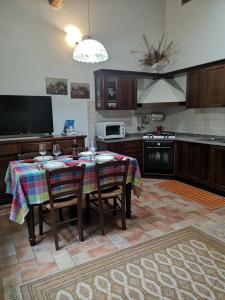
[155, 213]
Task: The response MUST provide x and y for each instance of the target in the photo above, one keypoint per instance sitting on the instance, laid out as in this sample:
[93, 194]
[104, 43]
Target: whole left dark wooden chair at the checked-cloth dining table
[72, 185]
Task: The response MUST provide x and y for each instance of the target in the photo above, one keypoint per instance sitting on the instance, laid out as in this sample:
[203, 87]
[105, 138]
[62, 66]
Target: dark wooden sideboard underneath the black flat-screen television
[11, 147]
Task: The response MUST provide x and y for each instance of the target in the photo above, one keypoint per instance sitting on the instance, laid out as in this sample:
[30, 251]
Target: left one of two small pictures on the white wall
[56, 86]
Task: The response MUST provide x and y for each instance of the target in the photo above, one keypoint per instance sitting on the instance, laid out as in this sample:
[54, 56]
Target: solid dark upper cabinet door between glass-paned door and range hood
[127, 93]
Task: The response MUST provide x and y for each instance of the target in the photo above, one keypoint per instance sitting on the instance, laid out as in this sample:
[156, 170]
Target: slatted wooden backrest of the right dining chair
[112, 174]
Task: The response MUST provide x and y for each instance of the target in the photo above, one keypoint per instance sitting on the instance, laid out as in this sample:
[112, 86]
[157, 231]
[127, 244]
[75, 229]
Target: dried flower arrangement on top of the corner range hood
[154, 56]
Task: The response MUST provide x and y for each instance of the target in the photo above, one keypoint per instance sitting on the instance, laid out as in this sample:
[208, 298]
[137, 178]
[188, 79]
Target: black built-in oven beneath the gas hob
[159, 157]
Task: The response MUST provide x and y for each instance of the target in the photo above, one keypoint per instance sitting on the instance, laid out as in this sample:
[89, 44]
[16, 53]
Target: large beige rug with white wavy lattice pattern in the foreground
[186, 264]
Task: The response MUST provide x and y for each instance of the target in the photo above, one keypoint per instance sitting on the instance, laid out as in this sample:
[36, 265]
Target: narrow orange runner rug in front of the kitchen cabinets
[189, 192]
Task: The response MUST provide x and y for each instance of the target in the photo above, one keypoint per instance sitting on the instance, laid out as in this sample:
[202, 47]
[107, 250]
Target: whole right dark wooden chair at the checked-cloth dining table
[111, 184]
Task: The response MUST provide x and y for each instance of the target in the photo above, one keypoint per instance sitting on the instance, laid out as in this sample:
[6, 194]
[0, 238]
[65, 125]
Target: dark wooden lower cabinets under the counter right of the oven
[201, 163]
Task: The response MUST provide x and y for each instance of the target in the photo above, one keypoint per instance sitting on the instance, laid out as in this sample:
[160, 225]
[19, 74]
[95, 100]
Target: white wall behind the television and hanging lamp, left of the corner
[32, 45]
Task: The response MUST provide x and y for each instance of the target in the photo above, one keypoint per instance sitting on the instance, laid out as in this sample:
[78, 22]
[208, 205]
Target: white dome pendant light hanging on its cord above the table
[89, 50]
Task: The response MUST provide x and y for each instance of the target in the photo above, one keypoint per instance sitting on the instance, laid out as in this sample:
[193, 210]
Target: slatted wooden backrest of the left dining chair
[65, 182]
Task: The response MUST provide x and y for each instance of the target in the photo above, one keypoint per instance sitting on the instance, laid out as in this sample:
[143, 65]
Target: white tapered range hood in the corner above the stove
[162, 90]
